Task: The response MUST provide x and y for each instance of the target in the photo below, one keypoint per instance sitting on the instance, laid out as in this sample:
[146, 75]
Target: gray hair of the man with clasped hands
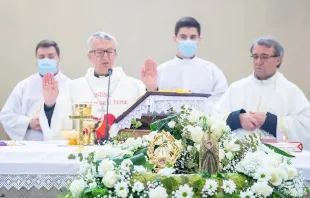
[270, 43]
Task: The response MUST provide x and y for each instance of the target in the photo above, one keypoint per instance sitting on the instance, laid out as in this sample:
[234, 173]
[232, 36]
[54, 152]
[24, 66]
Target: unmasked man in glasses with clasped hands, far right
[266, 102]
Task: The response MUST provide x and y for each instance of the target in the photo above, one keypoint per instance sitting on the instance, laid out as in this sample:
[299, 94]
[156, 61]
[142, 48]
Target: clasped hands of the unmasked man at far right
[252, 120]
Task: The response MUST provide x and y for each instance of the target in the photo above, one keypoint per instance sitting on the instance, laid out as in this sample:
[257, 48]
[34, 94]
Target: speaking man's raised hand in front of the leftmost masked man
[50, 89]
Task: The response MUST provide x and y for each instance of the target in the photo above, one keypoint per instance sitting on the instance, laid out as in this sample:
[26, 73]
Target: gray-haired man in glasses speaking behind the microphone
[91, 89]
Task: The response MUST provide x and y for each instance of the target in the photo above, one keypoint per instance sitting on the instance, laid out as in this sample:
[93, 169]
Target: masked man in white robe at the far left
[20, 114]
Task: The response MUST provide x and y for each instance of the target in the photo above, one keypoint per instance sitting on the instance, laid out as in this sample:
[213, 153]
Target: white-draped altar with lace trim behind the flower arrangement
[42, 169]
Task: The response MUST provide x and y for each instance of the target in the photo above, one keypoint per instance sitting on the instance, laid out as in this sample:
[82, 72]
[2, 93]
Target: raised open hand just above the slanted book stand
[149, 75]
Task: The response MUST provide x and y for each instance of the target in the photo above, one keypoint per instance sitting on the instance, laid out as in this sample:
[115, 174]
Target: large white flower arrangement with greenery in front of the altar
[121, 169]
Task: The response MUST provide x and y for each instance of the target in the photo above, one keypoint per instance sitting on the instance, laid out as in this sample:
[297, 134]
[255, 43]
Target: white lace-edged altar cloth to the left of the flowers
[38, 164]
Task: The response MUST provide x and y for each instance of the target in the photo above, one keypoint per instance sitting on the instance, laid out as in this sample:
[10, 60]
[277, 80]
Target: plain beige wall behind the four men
[144, 29]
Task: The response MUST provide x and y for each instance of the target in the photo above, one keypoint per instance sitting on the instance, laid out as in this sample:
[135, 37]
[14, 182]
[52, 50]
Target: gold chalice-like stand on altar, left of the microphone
[82, 112]
